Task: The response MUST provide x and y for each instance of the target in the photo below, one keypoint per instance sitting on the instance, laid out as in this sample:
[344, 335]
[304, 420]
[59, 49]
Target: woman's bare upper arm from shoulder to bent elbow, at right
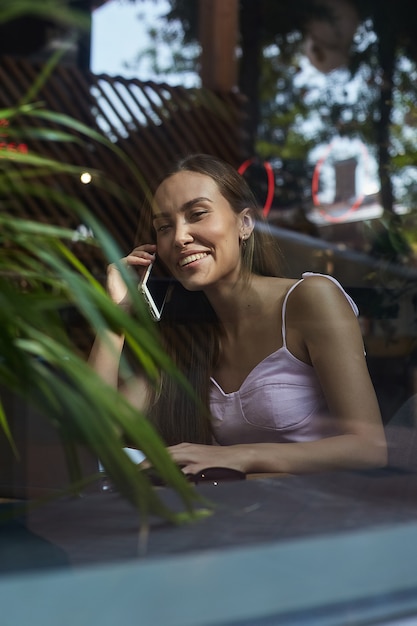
[331, 333]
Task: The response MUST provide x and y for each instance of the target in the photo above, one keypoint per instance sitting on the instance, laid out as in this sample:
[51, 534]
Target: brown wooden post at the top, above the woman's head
[218, 24]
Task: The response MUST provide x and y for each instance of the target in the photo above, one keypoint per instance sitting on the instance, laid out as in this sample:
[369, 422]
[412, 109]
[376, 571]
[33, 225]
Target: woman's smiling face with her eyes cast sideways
[198, 233]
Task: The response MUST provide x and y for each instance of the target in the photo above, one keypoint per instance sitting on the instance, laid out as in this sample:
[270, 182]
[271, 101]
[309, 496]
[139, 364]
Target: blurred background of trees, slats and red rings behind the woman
[314, 101]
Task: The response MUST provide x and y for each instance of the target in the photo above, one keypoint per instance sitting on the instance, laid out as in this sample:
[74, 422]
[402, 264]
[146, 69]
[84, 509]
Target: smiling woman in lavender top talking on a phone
[279, 366]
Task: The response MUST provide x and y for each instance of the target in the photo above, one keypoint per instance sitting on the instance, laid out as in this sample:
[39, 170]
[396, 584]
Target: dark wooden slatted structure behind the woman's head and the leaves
[151, 123]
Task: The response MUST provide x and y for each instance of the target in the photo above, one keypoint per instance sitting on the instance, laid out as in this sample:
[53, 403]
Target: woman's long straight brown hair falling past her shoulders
[194, 344]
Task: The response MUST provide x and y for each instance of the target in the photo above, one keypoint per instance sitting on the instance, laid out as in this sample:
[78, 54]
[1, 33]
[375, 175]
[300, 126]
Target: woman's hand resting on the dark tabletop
[195, 457]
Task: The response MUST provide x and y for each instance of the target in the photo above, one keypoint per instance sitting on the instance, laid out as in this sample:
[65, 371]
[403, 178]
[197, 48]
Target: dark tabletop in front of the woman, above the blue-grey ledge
[104, 528]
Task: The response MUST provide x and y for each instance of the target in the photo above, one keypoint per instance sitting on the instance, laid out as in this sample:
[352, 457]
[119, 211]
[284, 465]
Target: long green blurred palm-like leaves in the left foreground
[40, 278]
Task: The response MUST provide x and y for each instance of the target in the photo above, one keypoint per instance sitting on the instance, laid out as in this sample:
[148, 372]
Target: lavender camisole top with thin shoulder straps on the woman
[280, 400]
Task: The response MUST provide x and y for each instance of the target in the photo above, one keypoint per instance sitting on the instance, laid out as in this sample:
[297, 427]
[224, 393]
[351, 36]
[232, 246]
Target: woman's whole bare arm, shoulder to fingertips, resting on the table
[321, 323]
